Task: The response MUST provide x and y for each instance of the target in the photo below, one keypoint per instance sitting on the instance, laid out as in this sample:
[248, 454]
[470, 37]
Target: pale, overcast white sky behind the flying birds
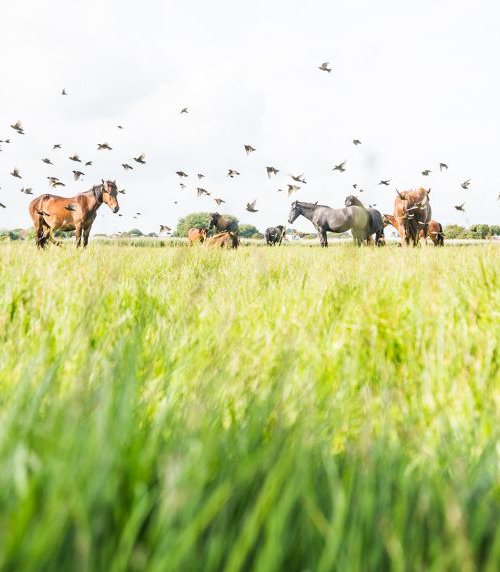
[416, 82]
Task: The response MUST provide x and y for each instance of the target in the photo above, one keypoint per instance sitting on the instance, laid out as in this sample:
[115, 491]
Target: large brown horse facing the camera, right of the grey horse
[413, 213]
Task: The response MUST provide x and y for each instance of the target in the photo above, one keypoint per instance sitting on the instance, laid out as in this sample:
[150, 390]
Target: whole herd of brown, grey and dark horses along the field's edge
[412, 219]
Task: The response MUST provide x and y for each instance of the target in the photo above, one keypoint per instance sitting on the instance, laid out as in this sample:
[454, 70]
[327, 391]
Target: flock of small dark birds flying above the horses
[295, 184]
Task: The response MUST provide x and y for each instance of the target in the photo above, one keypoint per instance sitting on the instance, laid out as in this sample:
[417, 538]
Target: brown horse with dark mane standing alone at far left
[50, 212]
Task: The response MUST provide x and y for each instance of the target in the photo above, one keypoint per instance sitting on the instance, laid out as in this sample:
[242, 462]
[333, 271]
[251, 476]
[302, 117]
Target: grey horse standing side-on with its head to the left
[326, 219]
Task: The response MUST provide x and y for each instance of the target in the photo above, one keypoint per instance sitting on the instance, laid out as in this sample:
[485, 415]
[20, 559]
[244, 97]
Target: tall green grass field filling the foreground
[267, 409]
